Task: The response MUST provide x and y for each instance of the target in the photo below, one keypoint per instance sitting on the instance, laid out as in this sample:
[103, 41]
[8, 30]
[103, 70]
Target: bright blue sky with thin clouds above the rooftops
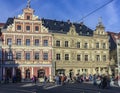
[63, 10]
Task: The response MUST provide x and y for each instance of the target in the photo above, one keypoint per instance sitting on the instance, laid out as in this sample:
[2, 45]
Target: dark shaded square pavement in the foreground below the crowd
[52, 88]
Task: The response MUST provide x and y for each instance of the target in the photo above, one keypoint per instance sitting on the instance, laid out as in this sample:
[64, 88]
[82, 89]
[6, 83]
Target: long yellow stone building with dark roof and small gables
[78, 49]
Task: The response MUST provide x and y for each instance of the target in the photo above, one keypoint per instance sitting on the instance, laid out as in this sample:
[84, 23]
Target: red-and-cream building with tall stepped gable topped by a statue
[27, 47]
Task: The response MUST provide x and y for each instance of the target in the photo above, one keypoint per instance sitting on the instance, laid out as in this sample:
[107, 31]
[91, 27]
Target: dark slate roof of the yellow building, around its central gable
[63, 27]
